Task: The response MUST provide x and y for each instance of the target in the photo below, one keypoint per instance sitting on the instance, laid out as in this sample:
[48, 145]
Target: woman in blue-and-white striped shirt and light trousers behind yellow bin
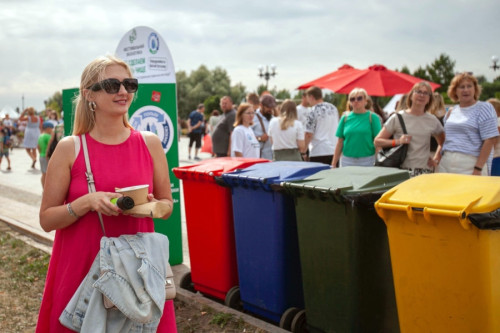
[470, 127]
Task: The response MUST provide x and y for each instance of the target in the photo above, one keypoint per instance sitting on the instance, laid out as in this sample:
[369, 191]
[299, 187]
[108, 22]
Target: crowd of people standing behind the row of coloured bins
[460, 139]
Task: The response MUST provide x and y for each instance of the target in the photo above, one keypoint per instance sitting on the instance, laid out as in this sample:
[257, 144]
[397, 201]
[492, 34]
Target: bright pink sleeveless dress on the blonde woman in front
[75, 247]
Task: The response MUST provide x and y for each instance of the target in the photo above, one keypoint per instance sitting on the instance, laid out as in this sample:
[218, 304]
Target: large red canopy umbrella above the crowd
[377, 80]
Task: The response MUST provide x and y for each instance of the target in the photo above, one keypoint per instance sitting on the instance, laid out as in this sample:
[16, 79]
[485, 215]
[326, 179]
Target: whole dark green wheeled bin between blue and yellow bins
[344, 250]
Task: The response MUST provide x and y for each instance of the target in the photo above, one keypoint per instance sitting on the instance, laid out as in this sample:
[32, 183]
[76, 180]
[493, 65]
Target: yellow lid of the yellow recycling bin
[444, 194]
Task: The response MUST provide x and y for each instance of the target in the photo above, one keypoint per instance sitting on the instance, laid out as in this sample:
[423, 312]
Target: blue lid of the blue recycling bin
[266, 174]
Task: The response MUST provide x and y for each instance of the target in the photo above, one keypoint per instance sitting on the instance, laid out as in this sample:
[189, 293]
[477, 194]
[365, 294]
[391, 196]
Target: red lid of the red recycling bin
[215, 167]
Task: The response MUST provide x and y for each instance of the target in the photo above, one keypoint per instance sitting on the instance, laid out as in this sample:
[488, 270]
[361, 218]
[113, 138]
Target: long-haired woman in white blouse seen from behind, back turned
[287, 134]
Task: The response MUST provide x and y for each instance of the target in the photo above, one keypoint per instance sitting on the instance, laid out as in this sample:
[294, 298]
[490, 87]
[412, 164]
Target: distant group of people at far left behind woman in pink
[34, 132]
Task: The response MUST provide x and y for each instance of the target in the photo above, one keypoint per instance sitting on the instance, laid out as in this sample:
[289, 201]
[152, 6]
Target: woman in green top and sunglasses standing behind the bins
[356, 131]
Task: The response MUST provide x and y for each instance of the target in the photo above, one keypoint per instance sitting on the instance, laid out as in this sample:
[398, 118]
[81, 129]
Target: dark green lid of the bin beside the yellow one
[347, 181]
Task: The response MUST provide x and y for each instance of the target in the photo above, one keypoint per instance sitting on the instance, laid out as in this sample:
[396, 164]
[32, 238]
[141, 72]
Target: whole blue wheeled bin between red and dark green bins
[266, 240]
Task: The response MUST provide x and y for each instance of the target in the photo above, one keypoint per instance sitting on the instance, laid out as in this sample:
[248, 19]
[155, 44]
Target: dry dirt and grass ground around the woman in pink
[22, 276]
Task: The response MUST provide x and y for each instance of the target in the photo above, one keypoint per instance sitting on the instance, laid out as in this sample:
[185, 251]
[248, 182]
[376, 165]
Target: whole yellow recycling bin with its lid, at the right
[445, 252]
